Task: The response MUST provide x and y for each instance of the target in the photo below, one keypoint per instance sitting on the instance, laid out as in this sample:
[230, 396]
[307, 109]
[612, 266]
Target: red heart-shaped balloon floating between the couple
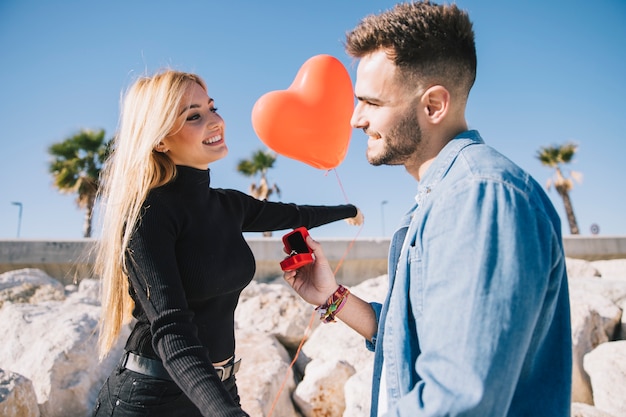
[310, 121]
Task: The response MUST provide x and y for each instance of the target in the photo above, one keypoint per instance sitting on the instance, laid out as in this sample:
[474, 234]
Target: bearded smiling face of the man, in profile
[385, 112]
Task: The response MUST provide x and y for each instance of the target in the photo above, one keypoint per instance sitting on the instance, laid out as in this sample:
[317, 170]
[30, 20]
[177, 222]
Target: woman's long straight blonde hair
[148, 114]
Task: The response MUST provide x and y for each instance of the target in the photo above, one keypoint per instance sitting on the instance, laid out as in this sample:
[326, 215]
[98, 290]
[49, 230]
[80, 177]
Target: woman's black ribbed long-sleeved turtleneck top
[188, 264]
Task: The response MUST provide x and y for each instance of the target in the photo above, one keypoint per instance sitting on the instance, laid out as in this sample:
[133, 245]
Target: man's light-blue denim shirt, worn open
[476, 321]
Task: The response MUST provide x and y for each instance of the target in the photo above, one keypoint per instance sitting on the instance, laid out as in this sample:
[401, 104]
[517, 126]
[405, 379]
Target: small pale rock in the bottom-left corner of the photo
[17, 396]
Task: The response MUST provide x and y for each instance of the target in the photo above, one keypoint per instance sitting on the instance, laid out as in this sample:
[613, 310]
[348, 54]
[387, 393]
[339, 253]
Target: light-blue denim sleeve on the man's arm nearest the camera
[478, 277]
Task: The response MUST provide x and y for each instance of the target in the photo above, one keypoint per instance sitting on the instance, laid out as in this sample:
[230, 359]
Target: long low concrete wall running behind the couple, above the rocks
[70, 260]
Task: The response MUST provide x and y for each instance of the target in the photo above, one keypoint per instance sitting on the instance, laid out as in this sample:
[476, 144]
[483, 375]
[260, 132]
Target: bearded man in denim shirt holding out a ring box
[476, 321]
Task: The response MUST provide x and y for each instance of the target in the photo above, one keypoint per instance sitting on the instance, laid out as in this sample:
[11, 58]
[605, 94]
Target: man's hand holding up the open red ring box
[313, 282]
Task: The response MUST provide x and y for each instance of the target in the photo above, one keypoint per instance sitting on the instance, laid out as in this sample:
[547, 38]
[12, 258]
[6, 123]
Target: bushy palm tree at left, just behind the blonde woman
[75, 167]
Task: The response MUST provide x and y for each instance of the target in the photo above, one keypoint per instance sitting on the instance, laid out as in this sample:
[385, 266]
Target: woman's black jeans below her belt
[129, 394]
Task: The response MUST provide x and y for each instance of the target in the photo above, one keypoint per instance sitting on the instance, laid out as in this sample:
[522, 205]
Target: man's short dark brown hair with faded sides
[430, 44]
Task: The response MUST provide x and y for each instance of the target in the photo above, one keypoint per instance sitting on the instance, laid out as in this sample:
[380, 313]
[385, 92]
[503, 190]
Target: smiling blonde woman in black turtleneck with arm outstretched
[172, 254]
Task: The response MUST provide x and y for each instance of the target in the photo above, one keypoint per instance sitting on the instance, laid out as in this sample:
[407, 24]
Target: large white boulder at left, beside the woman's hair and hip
[54, 345]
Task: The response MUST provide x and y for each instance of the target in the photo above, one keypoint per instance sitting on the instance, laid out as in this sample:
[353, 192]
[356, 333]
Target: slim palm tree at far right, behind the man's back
[555, 157]
